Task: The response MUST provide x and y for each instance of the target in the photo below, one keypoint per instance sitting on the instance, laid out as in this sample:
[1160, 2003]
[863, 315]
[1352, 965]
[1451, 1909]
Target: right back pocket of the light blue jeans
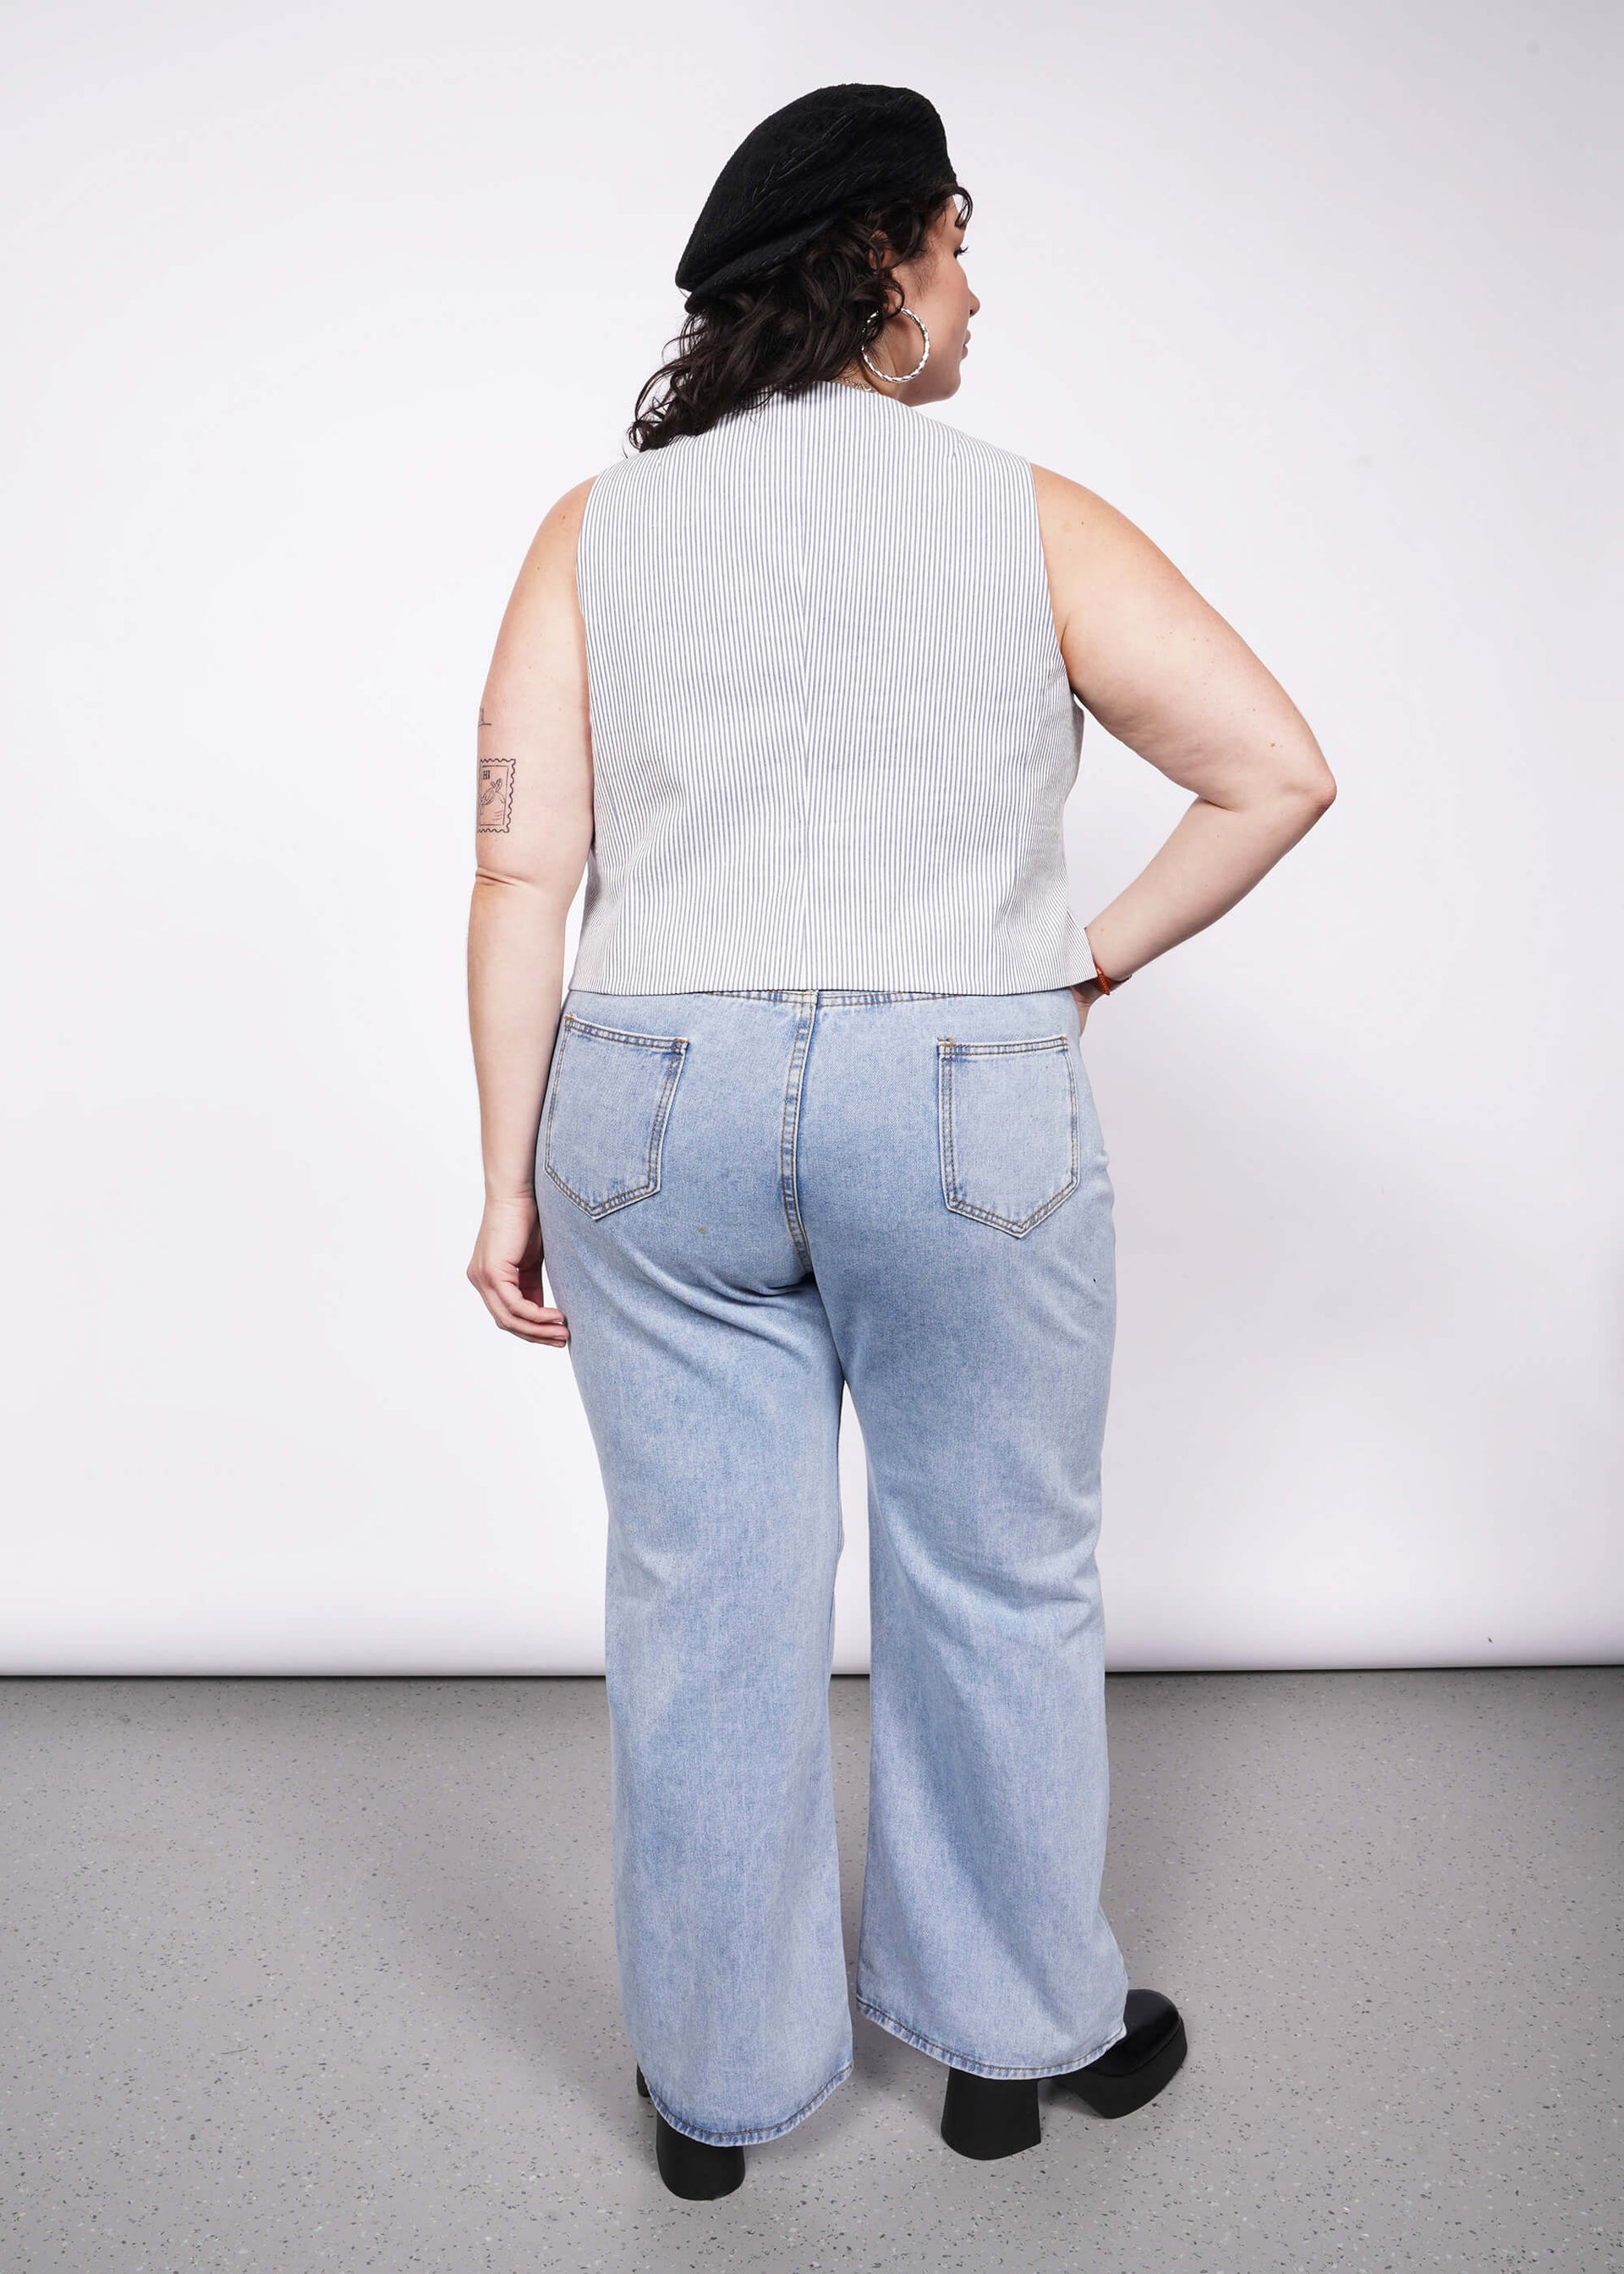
[1009, 1120]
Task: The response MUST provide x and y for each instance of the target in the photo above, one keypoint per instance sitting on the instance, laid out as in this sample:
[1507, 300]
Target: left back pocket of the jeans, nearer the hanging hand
[608, 1113]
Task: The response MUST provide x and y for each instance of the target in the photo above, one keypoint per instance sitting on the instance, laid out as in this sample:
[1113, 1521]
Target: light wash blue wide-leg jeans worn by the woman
[747, 1200]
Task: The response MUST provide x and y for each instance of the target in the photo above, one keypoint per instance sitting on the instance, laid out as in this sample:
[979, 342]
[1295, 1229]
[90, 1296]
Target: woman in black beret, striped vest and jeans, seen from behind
[799, 688]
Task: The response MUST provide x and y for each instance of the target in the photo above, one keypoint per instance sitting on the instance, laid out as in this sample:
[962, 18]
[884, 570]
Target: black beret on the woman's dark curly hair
[806, 167]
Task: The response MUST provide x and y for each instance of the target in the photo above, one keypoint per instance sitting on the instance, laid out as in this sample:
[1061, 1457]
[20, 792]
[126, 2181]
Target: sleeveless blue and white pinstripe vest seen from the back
[831, 722]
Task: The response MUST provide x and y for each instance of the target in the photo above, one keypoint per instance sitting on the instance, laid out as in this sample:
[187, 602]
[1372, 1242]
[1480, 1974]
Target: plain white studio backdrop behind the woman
[317, 310]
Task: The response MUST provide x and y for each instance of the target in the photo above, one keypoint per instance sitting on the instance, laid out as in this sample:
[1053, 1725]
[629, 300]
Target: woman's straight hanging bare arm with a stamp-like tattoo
[533, 836]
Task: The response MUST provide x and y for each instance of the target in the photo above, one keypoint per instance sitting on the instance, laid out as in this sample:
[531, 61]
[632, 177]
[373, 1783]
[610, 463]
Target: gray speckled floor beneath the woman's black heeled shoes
[320, 1975]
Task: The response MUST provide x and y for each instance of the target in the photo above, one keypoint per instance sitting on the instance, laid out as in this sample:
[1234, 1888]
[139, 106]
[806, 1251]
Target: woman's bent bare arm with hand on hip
[1173, 681]
